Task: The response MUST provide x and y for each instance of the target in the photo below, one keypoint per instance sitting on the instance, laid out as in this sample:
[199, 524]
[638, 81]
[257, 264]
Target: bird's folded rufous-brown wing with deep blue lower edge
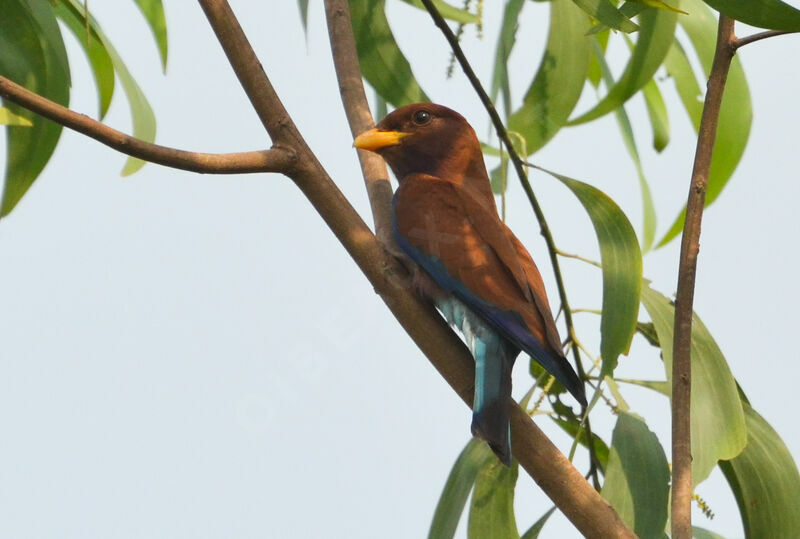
[459, 245]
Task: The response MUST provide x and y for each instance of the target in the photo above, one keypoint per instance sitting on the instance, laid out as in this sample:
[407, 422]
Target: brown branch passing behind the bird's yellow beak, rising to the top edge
[348, 72]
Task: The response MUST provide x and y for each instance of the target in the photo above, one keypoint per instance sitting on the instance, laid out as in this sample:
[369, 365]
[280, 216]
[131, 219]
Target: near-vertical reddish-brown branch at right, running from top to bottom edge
[690, 247]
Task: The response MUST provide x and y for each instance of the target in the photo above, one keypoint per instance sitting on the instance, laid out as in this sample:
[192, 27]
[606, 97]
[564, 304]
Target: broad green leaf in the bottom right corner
[765, 482]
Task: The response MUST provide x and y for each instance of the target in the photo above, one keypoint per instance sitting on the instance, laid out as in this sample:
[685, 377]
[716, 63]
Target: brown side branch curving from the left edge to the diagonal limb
[274, 160]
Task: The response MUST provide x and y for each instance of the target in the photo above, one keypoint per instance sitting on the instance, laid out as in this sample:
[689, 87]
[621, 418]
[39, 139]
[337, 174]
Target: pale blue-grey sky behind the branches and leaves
[190, 356]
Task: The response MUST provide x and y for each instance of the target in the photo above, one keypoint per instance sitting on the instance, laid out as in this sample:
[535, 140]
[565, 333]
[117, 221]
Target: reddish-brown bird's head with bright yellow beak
[425, 138]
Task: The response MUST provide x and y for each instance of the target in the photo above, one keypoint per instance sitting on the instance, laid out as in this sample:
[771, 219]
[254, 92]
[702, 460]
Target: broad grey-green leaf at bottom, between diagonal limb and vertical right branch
[636, 454]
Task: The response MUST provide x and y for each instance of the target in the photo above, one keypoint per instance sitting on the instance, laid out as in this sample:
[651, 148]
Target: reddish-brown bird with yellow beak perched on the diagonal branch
[465, 260]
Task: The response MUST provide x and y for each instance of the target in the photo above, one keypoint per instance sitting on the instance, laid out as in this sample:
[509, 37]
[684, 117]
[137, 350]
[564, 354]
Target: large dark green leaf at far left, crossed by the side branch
[32, 53]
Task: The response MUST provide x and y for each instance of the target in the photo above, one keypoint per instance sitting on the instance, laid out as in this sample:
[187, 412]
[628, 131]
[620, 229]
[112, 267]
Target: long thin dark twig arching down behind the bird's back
[519, 165]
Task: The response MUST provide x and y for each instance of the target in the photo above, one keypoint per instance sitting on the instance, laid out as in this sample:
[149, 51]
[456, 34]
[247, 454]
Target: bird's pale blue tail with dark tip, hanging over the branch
[491, 404]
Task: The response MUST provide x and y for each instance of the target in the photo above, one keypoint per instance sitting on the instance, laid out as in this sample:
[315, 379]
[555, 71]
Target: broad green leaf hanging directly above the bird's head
[382, 62]
